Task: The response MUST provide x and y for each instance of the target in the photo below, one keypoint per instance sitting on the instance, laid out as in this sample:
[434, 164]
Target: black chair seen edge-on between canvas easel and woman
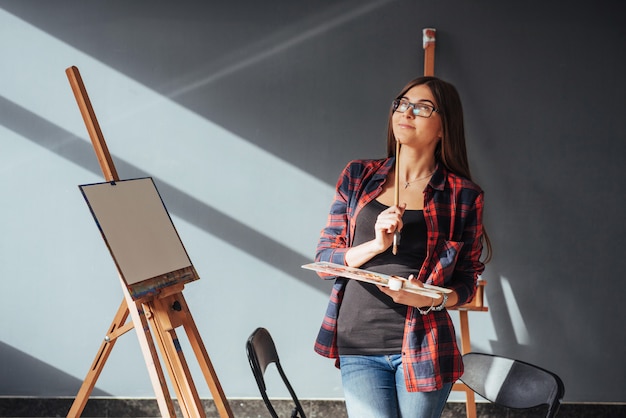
[262, 352]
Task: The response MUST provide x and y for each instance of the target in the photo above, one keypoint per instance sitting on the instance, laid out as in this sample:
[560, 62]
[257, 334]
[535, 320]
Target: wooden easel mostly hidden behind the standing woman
[477, 304]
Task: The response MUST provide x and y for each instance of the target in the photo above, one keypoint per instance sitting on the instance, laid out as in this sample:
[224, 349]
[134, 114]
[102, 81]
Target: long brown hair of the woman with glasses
[451, 150]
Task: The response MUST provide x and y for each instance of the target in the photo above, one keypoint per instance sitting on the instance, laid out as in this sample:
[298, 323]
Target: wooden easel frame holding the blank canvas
[159, 315]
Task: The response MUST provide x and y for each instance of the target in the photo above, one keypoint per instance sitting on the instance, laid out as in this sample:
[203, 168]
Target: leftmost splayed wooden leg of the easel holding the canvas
[98, 364]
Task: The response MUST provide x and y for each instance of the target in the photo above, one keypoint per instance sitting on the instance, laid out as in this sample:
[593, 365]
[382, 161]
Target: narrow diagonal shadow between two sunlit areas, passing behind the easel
[183, 205]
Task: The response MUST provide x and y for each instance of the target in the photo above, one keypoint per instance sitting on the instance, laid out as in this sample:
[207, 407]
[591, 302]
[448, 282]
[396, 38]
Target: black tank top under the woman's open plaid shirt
[370, 322]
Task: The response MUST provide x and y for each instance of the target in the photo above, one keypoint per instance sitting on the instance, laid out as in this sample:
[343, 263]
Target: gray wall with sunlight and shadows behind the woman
[245, 114]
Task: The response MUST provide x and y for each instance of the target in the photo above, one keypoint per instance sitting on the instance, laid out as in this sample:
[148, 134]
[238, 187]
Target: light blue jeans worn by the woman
[374, 388]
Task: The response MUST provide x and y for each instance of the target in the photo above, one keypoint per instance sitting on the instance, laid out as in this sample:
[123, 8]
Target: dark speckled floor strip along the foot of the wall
[254, 408]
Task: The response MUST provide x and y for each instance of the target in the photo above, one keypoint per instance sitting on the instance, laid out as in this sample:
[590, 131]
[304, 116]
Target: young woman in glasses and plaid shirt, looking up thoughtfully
[397, 350]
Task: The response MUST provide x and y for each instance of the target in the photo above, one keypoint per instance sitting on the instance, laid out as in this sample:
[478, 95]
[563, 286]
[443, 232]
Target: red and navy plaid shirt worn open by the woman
[453, 208]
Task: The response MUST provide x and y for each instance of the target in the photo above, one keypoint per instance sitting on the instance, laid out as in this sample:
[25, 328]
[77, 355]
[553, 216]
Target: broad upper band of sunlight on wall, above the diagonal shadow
[163, 138]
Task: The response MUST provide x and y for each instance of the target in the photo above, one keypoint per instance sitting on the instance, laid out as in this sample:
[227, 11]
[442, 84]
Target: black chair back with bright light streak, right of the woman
[512, 383]
